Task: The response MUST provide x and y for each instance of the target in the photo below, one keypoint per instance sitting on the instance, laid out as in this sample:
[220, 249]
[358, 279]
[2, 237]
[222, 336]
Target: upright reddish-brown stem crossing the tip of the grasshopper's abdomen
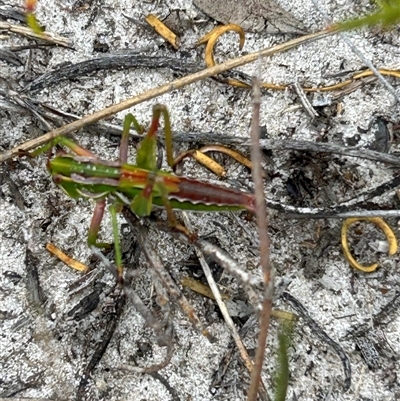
[262, 223]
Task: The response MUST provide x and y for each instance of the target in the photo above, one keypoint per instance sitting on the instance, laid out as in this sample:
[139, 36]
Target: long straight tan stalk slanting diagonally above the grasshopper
[155, 92]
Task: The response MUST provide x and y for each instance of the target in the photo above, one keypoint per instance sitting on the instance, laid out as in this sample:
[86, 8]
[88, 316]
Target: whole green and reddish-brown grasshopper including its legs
[140, 187]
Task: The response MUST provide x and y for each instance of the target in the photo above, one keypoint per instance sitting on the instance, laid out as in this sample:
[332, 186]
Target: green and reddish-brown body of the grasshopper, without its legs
[95, 178]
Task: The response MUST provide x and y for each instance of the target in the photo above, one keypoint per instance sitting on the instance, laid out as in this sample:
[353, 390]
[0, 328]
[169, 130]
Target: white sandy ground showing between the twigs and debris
[53, 350]
